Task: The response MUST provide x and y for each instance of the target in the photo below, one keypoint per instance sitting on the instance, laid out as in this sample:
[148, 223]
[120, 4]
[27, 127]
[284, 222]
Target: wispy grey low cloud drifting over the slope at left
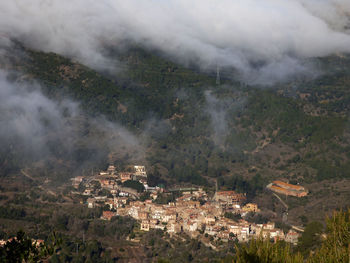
[36, 128]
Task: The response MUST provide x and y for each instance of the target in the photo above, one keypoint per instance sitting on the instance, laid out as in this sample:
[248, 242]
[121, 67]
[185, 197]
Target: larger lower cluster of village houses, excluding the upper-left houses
[188, 215]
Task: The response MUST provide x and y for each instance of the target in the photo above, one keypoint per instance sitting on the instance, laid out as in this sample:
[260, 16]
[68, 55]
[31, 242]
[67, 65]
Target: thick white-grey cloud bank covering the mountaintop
[273, 34]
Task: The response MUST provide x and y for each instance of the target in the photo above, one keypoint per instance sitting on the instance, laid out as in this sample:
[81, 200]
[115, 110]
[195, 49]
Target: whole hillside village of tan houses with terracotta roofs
[193, 212]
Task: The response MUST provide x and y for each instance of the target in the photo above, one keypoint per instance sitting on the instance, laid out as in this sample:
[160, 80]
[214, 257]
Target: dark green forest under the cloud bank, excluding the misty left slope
[194, 130]
